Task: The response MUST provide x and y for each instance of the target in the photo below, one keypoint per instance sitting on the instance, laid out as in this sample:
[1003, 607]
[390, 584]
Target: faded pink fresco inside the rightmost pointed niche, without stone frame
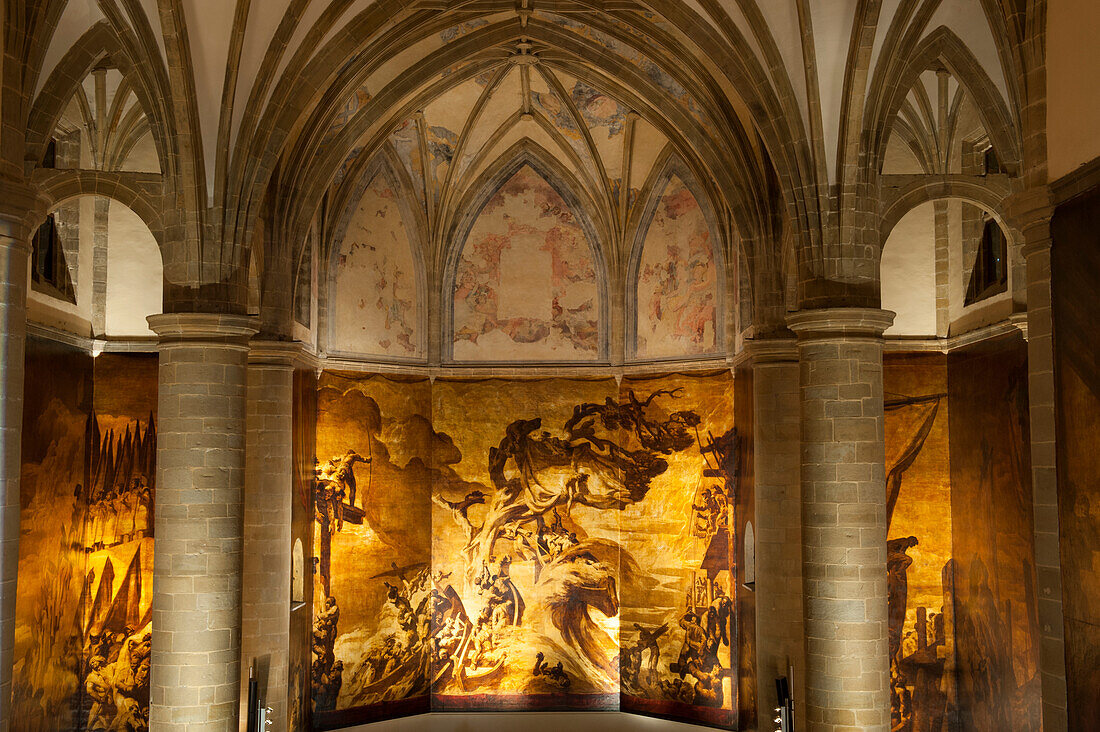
[677, 279]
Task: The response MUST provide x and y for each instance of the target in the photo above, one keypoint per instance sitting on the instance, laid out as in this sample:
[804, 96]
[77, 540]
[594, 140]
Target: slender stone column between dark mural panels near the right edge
[1032, 212]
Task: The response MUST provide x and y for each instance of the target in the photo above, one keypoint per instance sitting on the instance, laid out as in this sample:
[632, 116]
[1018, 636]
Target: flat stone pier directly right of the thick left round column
[268, 507]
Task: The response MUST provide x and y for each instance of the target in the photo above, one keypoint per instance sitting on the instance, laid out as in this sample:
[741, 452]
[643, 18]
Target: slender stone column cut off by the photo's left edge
[15, 266]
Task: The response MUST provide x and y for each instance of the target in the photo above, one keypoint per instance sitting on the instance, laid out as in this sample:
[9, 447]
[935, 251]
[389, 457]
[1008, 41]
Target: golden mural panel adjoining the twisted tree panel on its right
[679, 630]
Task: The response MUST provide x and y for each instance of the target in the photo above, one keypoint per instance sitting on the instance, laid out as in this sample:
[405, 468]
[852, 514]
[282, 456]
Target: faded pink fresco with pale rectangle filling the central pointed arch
[525, 286]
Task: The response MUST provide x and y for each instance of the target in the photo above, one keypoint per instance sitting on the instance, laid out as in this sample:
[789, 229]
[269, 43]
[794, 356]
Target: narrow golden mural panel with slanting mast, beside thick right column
[920, 570]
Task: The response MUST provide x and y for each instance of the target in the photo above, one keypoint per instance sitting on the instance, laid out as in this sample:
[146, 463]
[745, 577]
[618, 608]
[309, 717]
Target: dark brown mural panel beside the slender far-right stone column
[996, 625]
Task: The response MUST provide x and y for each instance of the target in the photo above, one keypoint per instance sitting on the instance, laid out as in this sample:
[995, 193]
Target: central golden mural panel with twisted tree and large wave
[525, 547]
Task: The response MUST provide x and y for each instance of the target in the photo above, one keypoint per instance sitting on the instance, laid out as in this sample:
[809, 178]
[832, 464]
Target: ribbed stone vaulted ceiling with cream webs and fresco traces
[783, 110]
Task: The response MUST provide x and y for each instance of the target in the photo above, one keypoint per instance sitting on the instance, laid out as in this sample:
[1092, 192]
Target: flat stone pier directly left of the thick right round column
[776, 430]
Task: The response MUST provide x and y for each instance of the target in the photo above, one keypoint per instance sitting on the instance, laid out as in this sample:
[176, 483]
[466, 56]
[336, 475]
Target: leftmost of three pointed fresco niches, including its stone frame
[376, 272]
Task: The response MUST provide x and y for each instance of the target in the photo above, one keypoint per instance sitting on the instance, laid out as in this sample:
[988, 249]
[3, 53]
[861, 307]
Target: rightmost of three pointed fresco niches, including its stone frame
[676, 303]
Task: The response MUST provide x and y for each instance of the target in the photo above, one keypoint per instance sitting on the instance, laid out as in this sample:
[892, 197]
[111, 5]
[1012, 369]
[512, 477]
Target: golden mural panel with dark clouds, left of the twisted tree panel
[371, 496]
